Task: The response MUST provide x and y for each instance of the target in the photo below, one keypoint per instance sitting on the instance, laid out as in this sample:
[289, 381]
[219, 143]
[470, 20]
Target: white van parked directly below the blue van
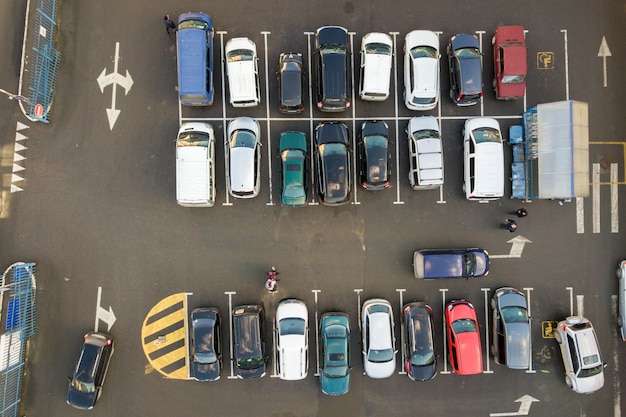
[195, 165]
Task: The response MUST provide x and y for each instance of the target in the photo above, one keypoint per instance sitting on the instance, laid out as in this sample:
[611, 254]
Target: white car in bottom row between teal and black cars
[379, 353]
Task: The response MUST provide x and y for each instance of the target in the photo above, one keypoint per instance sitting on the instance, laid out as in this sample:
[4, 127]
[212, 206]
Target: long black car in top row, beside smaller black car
[333, 68]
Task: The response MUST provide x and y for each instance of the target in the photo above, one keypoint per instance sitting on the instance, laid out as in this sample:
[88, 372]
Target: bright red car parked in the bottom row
[464, 350]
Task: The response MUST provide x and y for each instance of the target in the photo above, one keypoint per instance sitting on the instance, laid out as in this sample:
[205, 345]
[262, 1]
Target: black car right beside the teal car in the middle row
[333, 163]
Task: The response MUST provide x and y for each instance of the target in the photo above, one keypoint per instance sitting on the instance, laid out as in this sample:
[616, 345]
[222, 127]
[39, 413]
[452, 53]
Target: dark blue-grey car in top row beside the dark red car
[464, 59]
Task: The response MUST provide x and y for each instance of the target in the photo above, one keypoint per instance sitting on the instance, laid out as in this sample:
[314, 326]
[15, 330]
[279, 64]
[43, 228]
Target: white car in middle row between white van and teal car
[244, 157]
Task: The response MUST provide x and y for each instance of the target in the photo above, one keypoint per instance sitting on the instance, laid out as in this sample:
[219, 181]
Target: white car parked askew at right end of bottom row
[584, 370]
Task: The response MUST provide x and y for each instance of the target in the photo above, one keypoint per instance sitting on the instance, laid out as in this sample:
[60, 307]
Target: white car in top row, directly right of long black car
[376, 60]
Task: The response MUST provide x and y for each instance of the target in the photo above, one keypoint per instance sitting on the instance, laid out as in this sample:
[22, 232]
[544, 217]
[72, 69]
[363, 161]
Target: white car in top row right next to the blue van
[243, 72]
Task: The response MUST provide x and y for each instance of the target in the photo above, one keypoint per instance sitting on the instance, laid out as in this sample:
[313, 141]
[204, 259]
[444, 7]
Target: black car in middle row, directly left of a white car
[373, 147]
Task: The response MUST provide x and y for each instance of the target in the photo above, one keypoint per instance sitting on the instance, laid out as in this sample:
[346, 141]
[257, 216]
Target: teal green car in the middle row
[293, 156]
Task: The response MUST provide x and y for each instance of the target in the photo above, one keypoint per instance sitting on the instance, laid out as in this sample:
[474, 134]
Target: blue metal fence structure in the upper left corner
[45, 61]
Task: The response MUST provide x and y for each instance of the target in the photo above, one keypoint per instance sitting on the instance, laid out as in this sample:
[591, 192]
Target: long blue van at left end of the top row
[194, 40]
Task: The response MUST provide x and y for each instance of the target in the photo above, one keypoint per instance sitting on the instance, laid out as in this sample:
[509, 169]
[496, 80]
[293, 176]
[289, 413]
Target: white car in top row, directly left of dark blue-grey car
[421, 70]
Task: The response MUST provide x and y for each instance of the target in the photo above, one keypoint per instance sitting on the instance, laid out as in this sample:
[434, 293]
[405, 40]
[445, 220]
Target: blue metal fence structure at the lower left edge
[17, 295]
